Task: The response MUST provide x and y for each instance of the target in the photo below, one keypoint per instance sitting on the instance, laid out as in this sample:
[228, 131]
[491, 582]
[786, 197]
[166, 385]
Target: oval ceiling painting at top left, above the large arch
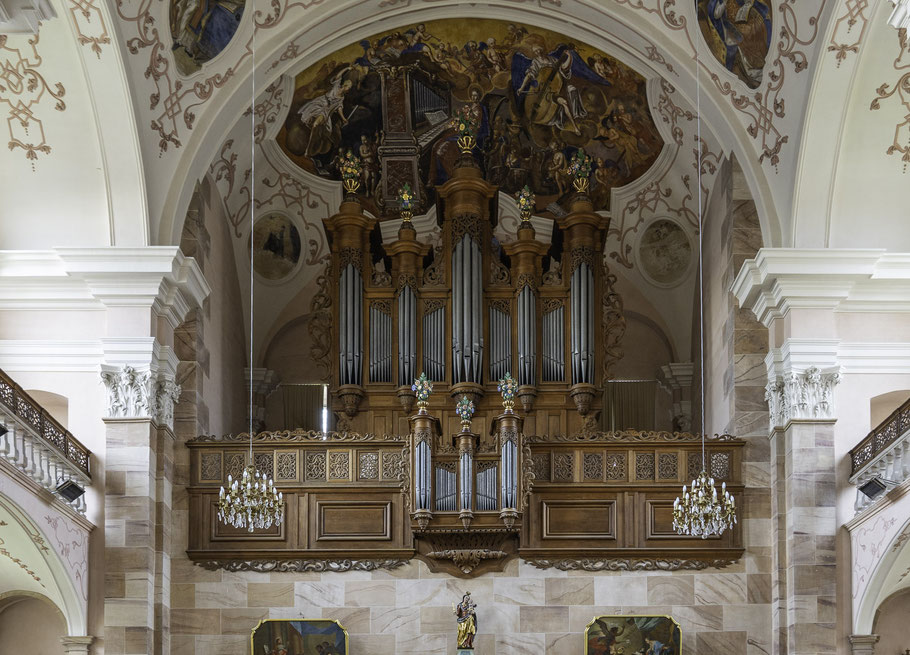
[201, 29]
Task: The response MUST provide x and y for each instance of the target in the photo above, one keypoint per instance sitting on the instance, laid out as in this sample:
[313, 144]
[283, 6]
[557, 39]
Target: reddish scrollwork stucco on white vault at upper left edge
[25, 95]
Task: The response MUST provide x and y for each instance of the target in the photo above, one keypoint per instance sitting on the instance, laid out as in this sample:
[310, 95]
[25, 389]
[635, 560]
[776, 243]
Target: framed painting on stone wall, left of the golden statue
[299, 637]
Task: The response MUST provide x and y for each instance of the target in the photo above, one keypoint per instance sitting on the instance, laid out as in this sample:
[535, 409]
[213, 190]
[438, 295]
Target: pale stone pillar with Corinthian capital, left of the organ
[139, 374]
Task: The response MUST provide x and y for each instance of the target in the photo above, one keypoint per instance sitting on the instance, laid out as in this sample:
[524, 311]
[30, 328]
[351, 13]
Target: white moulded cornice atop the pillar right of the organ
[845, 280]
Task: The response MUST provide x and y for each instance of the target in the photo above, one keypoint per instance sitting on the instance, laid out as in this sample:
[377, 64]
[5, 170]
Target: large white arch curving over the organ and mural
[619, 31]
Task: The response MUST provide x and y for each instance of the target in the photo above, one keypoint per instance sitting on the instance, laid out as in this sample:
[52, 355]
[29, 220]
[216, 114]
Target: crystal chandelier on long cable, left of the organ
[251, 502]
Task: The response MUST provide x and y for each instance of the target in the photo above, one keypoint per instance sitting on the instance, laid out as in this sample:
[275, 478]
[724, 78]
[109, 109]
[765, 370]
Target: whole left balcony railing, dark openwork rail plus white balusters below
[38, 445]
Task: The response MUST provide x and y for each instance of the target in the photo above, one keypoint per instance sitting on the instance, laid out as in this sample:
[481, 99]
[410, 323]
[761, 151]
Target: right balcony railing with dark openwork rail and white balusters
[884, 453]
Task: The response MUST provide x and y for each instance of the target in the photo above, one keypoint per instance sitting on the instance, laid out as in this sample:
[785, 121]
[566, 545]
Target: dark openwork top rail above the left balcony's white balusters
[16, 402]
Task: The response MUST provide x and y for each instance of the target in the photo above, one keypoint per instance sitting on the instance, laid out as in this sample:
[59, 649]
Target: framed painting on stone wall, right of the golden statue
[633, 635]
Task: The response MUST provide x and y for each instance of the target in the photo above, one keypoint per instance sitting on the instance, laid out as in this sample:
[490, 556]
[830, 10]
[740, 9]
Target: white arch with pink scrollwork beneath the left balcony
[30, 554]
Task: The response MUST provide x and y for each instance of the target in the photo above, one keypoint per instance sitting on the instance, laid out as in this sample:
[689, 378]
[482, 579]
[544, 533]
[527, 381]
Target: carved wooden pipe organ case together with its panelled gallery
[396, 482]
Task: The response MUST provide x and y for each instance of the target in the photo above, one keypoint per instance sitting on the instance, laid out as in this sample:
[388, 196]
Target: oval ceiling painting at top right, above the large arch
[738, 32]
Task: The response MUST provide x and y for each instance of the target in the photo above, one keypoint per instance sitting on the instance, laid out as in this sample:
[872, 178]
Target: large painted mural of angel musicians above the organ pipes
[537, 95]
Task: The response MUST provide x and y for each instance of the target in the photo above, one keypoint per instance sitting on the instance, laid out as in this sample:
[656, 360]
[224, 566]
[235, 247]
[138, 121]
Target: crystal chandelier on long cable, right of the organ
[700, 511]
